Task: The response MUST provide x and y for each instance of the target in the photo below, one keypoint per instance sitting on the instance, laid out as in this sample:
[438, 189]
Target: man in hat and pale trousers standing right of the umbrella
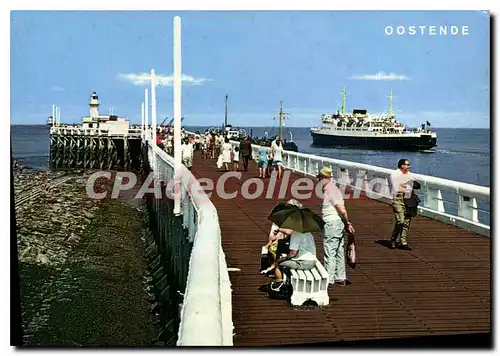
[336, 221]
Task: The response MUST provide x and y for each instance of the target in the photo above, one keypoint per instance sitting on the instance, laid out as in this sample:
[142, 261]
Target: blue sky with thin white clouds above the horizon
[304, 58]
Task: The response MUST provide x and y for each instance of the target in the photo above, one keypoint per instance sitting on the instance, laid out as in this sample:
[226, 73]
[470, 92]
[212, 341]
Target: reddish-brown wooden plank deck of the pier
[441, 287]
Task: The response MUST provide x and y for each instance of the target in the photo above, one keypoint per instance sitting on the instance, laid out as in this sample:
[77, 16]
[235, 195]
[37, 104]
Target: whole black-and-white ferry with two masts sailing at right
[362, 130]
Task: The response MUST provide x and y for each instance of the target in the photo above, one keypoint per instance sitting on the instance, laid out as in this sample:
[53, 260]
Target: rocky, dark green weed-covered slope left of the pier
[81, 263]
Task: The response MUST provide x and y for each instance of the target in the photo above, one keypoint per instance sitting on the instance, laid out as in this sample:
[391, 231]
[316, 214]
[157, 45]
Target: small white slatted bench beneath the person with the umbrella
[310, 285]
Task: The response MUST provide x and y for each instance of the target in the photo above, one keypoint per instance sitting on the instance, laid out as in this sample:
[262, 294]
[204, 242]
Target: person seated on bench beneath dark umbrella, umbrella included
[298, 223]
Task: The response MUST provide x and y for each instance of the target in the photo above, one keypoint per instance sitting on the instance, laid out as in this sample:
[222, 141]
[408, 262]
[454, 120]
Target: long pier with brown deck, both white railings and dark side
[207, 247]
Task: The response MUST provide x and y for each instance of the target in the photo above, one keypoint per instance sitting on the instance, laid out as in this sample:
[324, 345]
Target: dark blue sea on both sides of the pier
[462, 154]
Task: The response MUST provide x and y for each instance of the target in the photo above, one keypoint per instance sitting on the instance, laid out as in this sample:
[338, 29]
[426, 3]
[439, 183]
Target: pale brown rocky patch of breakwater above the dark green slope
[52, 213]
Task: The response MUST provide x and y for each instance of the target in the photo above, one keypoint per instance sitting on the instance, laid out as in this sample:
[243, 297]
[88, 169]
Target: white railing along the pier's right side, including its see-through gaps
[456, 203]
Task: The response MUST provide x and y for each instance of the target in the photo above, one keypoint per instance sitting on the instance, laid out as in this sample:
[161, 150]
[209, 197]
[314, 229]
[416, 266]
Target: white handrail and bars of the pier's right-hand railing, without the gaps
[432, 188]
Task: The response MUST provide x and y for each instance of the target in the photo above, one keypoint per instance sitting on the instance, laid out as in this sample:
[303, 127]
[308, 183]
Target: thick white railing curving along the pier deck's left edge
[206, 315]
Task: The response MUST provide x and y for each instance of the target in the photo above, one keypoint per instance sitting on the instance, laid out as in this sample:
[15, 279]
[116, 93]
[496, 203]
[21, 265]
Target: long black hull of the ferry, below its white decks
[411, 143]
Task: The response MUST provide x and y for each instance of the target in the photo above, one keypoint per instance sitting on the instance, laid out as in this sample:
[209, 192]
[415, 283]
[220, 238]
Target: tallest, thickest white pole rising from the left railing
[177, 111]
